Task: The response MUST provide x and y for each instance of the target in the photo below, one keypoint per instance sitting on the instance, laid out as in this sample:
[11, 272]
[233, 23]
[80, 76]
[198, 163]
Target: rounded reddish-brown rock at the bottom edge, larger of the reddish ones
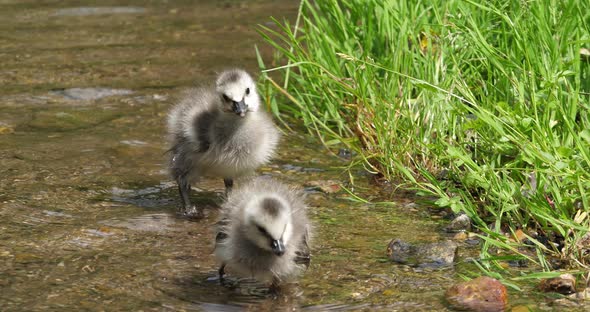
[480, 294]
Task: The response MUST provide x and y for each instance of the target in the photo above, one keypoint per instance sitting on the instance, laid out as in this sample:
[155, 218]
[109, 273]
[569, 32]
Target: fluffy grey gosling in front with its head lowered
[263, 232]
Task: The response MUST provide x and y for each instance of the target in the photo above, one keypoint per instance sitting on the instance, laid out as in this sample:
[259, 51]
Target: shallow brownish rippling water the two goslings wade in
[87, 216]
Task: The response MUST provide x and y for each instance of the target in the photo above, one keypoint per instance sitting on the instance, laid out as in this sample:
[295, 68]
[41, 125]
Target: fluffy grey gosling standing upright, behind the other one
[219, 132]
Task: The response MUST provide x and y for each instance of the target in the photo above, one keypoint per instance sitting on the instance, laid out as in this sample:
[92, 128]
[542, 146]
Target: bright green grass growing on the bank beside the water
[482, 104]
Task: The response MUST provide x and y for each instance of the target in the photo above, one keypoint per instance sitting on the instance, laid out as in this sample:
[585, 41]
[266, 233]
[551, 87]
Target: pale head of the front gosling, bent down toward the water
[268, 224]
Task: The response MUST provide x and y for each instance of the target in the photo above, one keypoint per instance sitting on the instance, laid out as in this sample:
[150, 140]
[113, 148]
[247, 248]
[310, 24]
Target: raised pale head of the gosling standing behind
[238, 92]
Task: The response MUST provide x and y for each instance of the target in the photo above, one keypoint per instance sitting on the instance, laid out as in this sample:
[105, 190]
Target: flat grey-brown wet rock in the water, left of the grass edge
[423, 255]
